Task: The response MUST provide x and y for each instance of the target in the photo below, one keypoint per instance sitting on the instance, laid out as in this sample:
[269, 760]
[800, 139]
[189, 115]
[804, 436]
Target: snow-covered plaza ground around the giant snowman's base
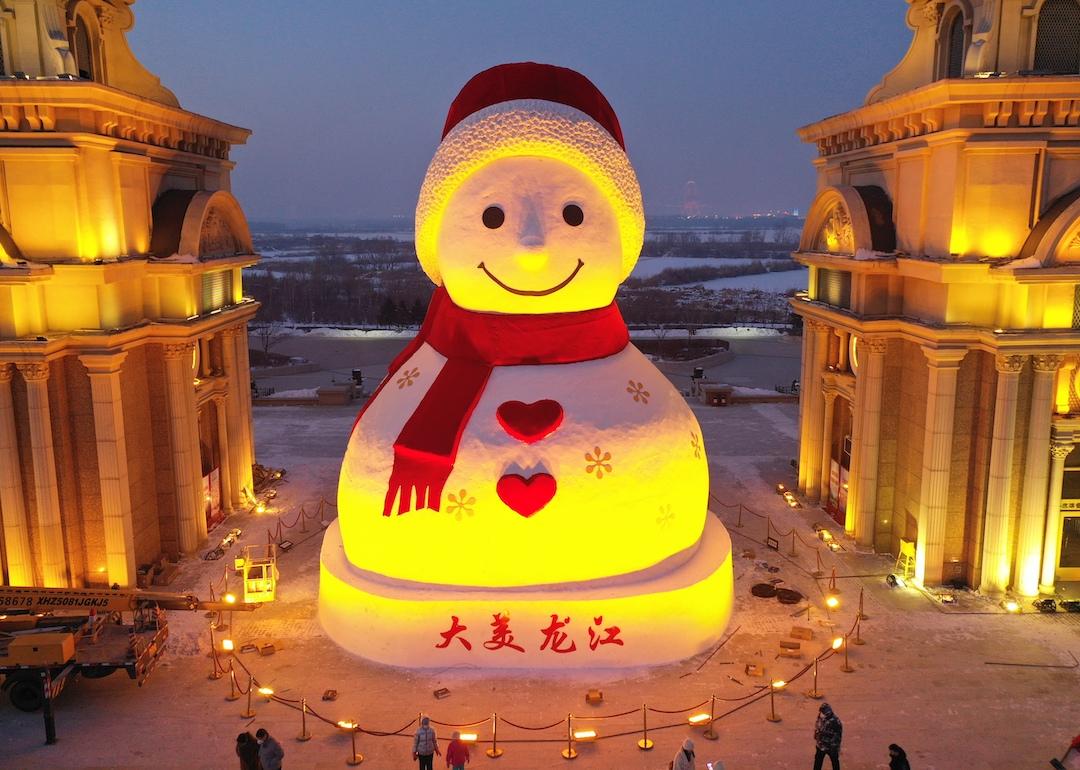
[922, 681]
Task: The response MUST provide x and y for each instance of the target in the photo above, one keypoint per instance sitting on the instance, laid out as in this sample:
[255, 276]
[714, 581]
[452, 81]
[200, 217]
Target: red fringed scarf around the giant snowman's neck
[474, 344]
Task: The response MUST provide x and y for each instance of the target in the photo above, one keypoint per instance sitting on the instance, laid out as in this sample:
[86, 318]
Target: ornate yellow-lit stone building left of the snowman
[125, 386]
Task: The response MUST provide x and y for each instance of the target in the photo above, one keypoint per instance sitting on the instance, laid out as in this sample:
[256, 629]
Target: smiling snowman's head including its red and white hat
[531, 205]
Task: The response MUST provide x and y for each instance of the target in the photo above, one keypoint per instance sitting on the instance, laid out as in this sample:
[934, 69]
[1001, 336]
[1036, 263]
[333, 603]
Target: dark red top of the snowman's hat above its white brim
[529, 80]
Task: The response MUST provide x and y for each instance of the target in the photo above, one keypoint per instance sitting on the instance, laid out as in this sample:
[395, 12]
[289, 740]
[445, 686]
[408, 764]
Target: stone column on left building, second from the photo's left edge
[50, 529]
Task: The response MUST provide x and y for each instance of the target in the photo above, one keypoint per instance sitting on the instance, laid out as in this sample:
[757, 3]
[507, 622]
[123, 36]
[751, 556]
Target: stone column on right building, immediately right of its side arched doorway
[872, 372]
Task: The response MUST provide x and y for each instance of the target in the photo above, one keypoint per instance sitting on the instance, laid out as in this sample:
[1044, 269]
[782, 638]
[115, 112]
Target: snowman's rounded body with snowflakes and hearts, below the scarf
[628, 463]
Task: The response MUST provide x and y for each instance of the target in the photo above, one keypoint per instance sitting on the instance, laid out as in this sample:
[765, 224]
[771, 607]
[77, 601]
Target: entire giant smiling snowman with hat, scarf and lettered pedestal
[525, 490]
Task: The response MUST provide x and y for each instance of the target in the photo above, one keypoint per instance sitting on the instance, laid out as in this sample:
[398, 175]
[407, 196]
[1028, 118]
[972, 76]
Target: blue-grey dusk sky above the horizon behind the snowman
[347, 99]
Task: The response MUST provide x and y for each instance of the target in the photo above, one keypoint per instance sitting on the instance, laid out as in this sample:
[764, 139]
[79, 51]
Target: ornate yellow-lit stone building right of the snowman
[941, 400]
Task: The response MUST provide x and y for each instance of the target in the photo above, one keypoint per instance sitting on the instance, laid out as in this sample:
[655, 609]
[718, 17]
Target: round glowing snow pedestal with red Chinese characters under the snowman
[659, 616]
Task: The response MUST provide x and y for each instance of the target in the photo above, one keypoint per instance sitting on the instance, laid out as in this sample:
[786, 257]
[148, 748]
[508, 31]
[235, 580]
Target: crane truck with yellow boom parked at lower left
[50, 637]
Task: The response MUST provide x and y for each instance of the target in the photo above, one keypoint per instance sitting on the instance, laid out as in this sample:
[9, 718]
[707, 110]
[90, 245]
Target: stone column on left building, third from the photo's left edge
[104, 373]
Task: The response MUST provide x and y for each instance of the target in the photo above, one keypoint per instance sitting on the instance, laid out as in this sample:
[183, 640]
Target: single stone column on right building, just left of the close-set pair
[937, 458]
